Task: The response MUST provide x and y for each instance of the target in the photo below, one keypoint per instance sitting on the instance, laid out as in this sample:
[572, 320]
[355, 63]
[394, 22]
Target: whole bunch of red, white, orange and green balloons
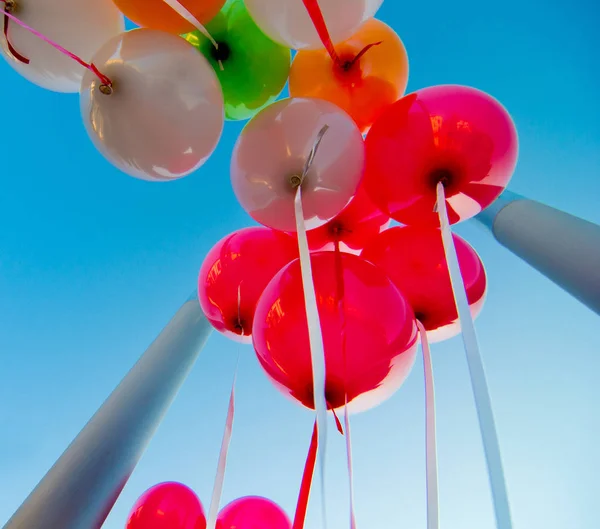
[324, 171]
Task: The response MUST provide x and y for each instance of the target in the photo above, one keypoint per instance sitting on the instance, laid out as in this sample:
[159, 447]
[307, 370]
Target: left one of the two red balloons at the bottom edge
[167, 506]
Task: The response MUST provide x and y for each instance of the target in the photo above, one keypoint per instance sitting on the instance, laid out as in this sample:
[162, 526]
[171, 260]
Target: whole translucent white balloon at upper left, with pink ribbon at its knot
[165, 115]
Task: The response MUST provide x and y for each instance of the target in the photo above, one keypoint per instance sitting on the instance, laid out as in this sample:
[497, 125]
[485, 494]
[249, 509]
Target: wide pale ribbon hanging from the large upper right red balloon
[481, 394]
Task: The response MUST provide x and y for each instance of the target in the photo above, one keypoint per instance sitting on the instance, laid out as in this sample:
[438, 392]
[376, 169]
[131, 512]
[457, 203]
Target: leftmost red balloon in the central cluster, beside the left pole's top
[246, 259]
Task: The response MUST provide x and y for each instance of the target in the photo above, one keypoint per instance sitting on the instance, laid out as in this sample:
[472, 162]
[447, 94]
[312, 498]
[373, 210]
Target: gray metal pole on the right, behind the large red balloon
[566, 249]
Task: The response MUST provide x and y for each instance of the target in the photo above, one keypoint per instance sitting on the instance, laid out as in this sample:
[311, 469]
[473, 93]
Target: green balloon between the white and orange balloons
[255, 69]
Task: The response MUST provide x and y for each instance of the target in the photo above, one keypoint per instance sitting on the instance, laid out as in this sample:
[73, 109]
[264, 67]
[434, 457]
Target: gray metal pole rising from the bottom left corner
[81, 488]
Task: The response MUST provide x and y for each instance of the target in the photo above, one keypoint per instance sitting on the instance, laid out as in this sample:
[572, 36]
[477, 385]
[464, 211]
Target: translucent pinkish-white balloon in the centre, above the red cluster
[272, 150]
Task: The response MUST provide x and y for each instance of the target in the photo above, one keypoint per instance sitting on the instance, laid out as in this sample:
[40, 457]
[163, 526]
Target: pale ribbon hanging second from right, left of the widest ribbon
[430, 435]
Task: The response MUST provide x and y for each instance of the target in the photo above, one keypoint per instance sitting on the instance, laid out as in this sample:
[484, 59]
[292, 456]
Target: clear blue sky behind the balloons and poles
[93, 264]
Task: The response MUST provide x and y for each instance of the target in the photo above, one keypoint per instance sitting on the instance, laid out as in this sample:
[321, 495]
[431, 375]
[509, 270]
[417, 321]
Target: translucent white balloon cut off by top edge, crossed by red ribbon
[288, 22]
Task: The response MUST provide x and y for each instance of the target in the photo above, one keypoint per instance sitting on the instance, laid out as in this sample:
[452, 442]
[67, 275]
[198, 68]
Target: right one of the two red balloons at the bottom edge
[253, 512]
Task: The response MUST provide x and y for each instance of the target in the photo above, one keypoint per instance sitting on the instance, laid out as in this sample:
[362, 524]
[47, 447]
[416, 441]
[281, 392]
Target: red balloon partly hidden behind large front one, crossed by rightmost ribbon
[413, 257]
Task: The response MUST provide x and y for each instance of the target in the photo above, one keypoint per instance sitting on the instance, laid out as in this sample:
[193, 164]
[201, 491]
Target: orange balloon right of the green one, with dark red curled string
[364, 88]
